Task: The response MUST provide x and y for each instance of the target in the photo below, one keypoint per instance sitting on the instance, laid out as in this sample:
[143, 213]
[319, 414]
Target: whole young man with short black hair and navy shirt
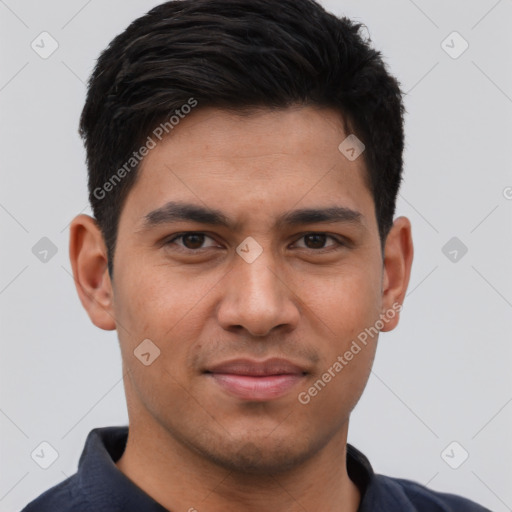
[244, 161]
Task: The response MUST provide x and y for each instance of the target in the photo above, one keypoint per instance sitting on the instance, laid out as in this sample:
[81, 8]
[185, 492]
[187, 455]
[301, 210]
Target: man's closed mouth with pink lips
[258, 381]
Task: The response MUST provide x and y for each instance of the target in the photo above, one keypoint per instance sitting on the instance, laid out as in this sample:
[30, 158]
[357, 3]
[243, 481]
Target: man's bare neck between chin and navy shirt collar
[180, 479]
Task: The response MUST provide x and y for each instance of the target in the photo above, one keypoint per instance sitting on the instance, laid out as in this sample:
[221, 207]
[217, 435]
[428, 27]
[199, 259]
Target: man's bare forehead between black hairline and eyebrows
[264, 162]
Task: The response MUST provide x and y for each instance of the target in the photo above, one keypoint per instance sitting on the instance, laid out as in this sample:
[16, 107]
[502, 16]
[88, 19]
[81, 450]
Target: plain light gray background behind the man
[443, 375]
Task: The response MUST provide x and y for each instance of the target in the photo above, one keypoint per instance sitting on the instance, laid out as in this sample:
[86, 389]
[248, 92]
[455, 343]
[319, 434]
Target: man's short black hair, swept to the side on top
[237, 55]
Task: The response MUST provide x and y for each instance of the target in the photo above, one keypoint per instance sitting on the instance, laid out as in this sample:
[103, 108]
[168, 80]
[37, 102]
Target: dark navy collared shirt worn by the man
[99, 486]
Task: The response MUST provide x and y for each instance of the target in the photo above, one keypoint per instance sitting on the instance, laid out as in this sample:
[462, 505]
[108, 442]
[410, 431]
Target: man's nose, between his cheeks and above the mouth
[258, 297]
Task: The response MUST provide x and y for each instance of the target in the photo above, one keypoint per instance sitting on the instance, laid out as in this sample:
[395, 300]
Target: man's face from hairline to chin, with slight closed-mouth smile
[252, 302]
